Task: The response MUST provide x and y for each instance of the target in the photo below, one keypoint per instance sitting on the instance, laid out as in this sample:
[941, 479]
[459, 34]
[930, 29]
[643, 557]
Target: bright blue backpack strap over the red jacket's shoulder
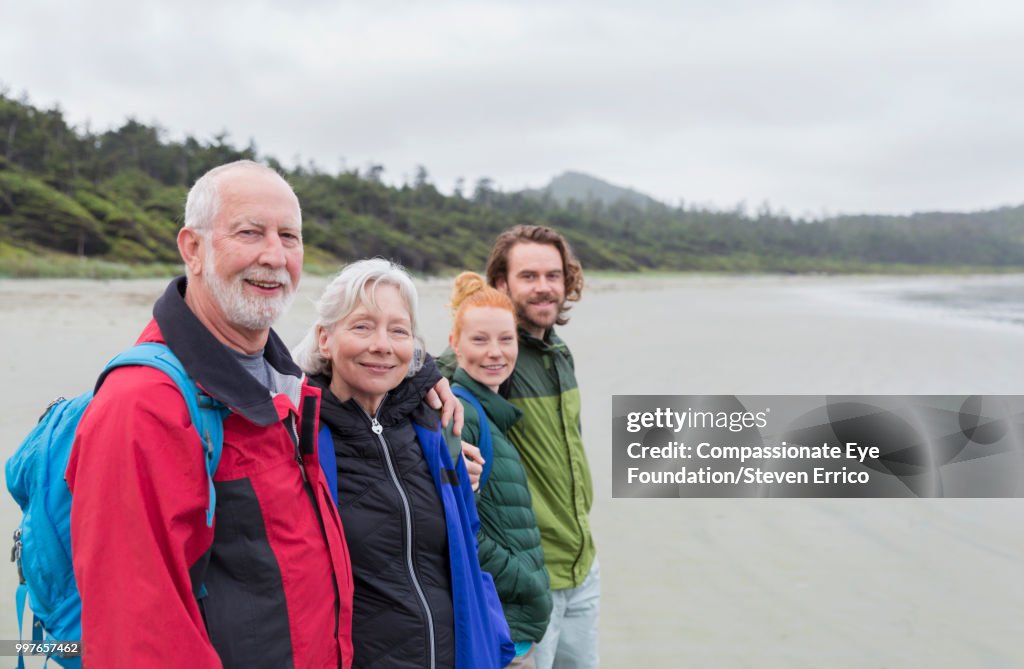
[206, 412]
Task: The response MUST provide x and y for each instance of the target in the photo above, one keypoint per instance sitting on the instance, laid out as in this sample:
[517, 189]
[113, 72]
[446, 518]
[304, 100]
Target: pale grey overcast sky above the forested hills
[813, 106]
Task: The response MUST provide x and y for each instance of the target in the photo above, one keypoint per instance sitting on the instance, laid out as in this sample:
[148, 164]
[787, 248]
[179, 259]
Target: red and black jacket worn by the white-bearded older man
[275, 565]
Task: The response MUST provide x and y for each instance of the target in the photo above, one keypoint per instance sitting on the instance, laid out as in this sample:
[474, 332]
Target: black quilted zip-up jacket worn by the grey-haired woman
[395, 526]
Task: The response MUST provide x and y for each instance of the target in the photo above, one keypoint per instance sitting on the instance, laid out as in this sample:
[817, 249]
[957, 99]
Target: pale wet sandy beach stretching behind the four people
[705, 583]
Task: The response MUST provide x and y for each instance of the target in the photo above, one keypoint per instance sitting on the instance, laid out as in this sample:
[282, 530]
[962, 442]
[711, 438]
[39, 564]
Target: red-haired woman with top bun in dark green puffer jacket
[486, 345]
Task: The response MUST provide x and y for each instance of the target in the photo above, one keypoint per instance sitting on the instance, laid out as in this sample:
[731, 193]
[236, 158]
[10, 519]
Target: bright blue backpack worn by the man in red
[36, 480]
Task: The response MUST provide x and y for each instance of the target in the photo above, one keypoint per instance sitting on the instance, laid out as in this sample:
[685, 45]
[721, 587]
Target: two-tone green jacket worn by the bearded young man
[550, 446]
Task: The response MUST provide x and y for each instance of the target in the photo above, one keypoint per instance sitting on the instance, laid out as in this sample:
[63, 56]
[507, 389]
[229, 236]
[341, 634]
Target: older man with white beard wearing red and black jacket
[270, 584]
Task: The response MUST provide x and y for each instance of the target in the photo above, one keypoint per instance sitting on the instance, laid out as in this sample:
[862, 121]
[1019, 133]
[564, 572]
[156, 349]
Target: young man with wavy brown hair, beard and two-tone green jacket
[536, 267]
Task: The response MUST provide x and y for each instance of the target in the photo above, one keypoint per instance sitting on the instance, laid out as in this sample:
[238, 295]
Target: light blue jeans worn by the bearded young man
[572, 640]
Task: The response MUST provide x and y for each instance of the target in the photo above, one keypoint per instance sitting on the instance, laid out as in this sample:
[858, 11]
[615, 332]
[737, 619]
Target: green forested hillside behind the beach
[80, 203]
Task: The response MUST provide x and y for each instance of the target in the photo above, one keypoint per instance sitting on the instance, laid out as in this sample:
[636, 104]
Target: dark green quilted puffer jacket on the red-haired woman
[509, 540]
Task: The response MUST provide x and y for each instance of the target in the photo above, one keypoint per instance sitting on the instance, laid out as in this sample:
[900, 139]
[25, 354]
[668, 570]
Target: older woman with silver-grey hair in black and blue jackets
[421, 599]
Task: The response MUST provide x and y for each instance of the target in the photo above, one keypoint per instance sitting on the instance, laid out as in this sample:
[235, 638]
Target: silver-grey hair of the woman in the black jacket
[357, 285]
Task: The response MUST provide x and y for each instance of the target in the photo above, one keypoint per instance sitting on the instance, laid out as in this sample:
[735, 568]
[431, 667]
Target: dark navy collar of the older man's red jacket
[215, 368]
